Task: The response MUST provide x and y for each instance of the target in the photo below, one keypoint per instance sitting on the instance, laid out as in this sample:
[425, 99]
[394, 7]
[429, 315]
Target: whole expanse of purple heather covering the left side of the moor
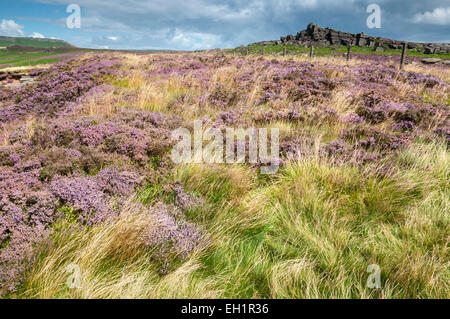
[44, 163]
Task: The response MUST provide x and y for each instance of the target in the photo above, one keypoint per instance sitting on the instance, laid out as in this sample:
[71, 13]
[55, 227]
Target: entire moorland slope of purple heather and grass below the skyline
[363, 181]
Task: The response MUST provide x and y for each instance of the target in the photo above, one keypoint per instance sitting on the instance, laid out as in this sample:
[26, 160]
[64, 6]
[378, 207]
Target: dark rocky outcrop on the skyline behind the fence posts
[323, 37]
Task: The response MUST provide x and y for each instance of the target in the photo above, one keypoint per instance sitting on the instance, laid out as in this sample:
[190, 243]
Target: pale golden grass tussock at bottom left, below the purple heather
[113, 263]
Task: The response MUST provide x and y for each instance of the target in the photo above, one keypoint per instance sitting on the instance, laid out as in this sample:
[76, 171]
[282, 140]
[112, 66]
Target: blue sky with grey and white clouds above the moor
[206, 24]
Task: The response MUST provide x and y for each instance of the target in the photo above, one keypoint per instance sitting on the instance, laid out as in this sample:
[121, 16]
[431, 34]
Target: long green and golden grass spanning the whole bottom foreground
[311, 231]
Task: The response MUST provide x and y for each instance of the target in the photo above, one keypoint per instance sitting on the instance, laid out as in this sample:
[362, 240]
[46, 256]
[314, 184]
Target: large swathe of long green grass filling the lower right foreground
[313, 230]
